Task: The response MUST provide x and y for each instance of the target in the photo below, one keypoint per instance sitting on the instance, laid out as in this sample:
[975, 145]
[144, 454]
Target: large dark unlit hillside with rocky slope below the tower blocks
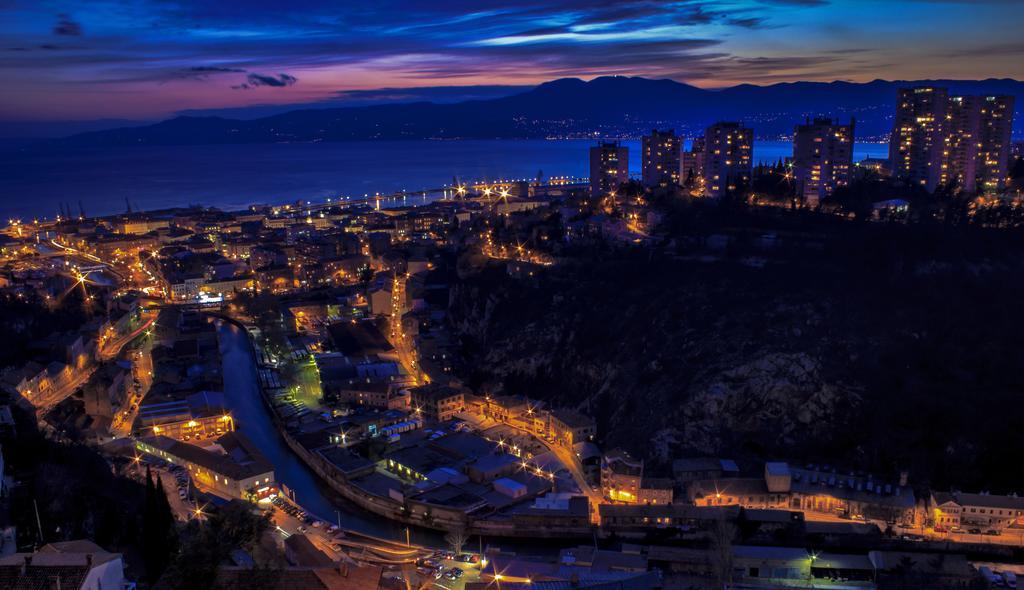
[867, 348]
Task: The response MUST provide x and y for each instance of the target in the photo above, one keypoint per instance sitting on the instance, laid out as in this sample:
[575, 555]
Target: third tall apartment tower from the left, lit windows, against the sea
[729, 158]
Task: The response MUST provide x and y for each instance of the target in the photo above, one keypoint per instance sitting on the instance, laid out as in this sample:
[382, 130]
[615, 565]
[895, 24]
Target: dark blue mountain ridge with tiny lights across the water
[607, 107]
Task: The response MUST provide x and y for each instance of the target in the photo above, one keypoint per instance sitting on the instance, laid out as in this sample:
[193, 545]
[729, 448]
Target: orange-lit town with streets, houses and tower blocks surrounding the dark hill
[196, 350]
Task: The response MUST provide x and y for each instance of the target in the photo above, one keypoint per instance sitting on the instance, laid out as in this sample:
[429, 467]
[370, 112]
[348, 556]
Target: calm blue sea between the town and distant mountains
[102, 182]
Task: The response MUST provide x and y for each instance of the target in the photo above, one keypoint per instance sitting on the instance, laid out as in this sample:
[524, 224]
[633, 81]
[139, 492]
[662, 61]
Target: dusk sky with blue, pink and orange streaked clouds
[151, 59]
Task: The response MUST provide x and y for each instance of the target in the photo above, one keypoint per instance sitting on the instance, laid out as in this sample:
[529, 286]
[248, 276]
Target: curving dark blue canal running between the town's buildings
[253, 419]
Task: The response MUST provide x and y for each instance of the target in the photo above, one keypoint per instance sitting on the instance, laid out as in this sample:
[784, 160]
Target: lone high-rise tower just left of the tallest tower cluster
[823, 158]
